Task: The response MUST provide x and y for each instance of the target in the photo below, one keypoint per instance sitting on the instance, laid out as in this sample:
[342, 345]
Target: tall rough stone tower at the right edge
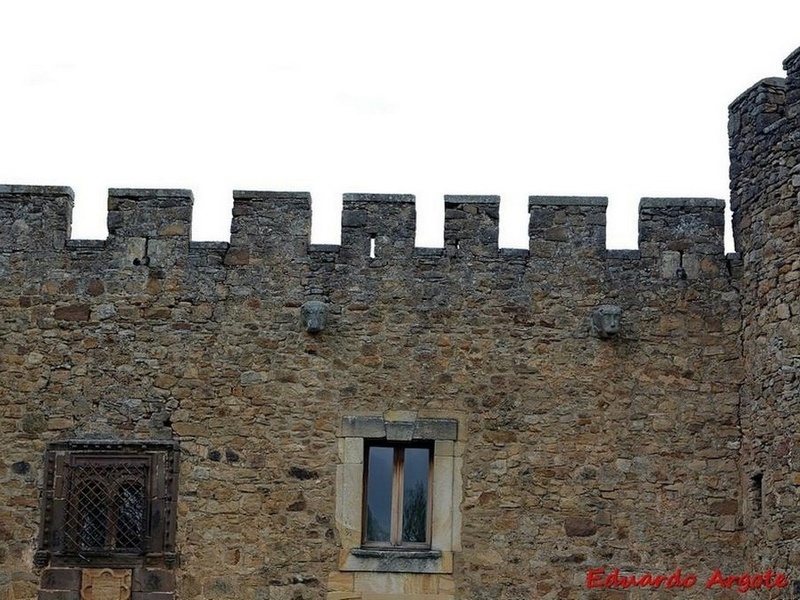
[765, 181]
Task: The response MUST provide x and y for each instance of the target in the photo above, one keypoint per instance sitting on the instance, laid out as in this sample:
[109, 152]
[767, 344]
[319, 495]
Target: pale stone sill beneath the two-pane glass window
[390, 560]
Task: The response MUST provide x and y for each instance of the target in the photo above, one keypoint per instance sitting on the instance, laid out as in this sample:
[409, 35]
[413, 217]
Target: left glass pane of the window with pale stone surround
[379, 494]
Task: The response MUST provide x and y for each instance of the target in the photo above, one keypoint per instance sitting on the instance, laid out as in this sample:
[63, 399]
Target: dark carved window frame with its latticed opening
[109, 503]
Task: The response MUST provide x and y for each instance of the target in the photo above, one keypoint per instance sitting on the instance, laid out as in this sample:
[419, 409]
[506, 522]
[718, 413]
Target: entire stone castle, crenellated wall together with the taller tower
[557, 412]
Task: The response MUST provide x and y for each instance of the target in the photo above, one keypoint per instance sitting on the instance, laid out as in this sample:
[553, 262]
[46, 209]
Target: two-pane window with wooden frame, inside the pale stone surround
[397, 498]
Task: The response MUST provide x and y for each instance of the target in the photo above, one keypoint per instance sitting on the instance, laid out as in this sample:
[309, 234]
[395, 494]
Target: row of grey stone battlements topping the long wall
[153, 227]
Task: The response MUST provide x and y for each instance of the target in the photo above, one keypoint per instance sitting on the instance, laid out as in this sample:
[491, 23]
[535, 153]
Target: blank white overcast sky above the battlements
[569, 97]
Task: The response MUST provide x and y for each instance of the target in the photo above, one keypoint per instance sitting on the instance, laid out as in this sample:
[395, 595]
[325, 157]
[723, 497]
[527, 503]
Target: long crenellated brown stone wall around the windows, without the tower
[573, 452]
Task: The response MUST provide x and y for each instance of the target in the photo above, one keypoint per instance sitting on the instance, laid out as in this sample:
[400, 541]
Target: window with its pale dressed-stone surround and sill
[398, 492]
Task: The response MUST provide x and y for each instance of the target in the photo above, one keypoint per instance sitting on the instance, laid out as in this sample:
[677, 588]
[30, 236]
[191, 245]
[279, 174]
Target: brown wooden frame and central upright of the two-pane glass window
[395, 537]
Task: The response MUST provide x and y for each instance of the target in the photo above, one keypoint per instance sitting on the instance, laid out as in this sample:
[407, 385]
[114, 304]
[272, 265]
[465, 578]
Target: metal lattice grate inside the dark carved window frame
[107, 507]
